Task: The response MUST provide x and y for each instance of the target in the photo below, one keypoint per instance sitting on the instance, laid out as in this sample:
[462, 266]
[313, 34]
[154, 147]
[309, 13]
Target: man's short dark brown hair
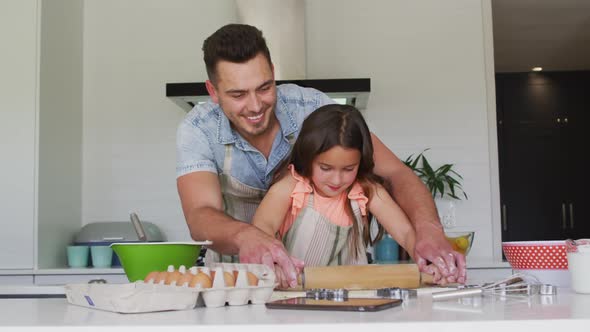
[236, 43]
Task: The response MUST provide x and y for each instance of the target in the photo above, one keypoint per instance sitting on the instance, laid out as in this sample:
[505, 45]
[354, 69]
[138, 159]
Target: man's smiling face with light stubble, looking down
[247, 94]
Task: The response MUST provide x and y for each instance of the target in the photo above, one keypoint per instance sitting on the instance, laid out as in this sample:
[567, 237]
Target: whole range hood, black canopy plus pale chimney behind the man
[283, 25]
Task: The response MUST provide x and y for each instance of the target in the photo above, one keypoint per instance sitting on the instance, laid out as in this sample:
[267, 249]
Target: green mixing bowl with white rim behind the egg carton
[140, 258]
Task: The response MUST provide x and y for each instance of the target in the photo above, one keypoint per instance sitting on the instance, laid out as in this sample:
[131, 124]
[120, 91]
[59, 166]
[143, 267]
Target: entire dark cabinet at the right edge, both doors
[542, 129]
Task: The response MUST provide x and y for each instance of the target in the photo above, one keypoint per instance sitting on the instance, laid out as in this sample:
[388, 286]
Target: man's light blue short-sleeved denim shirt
[202, 135]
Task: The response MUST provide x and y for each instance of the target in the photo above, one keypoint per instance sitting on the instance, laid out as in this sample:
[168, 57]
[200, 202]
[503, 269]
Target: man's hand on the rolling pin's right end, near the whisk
[432, 246]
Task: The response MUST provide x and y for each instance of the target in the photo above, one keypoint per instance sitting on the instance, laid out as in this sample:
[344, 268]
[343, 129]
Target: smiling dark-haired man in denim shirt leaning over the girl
[228, 151]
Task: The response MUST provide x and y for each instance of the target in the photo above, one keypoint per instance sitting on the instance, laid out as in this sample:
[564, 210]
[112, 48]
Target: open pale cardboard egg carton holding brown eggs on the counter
[142, 296]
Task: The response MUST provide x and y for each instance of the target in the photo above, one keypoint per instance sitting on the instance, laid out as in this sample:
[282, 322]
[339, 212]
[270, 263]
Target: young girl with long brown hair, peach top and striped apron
[323, 196]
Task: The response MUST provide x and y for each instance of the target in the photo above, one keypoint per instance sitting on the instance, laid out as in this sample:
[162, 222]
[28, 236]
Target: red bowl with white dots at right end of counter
[545, 260]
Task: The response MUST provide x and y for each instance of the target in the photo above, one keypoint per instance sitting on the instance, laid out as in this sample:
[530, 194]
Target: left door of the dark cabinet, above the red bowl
[530, 158]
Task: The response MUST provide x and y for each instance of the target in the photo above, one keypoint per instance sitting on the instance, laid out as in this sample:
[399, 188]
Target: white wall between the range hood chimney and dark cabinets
[428, 84]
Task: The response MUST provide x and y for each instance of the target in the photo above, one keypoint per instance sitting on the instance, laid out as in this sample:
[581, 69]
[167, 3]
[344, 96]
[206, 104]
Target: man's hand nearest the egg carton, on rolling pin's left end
[257, 247]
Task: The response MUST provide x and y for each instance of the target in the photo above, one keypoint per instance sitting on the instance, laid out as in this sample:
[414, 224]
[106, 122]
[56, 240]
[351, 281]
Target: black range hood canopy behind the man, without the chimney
[351, 91]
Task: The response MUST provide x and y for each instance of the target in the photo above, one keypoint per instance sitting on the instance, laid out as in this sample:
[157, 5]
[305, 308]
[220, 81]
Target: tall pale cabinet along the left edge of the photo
[40, 132]
